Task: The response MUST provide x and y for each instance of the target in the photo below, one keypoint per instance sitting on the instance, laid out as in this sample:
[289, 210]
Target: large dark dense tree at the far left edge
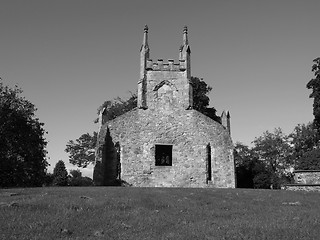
[22, 144]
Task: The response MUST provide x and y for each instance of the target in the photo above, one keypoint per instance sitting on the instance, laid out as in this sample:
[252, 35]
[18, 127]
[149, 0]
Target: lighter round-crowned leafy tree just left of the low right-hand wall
[275, 151]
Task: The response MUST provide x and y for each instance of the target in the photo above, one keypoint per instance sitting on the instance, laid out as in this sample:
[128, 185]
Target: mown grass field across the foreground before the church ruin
[157, 213]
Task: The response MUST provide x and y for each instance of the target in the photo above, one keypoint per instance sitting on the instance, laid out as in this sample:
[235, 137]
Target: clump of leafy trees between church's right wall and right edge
[269, 163]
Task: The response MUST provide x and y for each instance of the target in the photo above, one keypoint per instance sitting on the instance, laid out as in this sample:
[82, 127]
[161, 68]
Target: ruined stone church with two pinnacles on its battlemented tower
[164, 142]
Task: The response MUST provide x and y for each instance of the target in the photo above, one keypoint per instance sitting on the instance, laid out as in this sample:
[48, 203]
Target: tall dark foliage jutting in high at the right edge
[314, 84]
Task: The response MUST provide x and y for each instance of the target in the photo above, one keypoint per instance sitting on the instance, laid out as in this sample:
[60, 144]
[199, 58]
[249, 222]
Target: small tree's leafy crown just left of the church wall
[82, 150]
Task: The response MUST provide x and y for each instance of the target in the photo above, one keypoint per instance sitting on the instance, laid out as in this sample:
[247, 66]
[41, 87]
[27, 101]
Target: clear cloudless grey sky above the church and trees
[69, 56]
